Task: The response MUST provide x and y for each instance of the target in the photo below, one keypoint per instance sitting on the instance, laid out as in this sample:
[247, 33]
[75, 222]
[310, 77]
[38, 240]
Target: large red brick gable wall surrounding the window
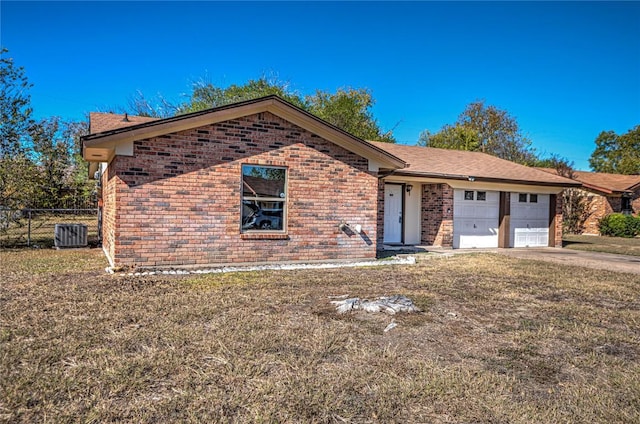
[179, 197]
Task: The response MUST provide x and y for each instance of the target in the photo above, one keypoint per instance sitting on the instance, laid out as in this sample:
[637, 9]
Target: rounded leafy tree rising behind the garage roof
[486, 129]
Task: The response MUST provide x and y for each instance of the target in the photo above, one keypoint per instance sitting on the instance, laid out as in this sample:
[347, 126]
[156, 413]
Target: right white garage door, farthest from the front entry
[529, 220]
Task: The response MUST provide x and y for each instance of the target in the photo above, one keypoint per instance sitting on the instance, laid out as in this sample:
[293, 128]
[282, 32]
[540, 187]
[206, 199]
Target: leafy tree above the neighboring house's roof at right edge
[617, 154]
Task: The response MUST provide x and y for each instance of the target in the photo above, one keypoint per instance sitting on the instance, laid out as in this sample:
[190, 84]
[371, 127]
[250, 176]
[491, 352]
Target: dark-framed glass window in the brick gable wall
[263, 197]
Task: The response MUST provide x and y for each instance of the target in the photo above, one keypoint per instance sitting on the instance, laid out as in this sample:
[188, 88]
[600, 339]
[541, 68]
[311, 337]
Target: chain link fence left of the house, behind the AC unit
[36, 227]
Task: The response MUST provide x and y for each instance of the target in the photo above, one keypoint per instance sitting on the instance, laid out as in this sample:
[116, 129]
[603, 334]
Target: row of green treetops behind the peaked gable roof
[348, 109]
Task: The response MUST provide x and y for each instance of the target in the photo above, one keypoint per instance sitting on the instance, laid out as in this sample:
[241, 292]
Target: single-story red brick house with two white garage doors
[263, 180]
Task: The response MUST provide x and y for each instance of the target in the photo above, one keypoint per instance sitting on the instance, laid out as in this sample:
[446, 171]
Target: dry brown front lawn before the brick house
[500, 340]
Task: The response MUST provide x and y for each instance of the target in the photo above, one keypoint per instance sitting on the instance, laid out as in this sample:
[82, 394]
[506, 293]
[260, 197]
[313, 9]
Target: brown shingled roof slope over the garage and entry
[462, 165]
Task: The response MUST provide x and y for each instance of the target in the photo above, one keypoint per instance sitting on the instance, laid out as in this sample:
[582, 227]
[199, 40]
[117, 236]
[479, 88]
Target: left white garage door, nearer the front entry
[475, 218]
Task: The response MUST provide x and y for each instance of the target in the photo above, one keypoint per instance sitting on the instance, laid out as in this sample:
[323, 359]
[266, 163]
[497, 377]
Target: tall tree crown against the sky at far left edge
[15, 109]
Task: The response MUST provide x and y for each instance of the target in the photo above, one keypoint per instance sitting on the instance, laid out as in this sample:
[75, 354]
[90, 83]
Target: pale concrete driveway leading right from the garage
[596, 260]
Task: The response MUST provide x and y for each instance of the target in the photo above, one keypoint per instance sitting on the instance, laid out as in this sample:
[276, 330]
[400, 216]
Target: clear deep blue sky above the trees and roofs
[566, 71]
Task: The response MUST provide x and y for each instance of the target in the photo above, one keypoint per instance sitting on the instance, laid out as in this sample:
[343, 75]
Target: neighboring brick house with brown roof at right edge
[606, 194]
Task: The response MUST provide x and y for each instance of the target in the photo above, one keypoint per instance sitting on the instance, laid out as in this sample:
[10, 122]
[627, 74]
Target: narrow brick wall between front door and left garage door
[437, 215]
